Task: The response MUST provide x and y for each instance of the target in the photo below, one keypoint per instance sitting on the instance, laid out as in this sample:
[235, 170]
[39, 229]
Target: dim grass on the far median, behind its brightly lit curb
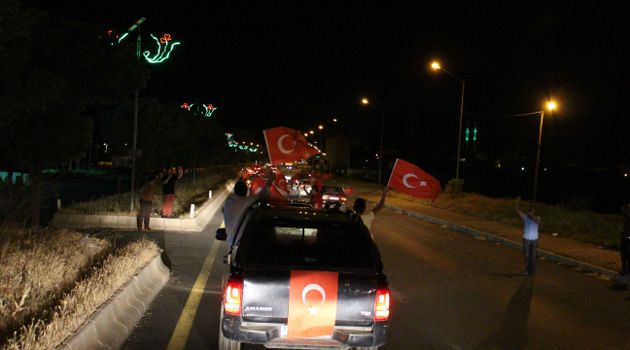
[187, 193]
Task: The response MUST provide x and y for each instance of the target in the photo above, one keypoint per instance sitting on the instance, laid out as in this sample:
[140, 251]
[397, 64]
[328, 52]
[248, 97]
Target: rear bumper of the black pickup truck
[271, 335]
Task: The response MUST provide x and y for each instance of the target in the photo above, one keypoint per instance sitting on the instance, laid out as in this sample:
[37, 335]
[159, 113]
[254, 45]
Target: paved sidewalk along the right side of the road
[581, 255]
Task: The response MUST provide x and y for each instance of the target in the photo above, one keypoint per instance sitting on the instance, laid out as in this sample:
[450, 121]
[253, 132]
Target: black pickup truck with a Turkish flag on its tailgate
[301, 278]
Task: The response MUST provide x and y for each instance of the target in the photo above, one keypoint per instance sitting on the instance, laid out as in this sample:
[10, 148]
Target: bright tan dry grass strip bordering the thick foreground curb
[79, 304]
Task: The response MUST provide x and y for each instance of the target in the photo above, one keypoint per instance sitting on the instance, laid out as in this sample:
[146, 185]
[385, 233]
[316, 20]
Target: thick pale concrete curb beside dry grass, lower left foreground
[110, 325]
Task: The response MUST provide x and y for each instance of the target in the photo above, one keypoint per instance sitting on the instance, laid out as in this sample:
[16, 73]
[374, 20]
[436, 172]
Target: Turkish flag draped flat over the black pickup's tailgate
[312, 303]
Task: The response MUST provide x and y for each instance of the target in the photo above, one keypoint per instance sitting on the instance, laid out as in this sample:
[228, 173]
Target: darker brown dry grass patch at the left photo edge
[35, 270]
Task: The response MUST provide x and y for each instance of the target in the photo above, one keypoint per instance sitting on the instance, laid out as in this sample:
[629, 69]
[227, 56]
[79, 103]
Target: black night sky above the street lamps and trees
[299, 63]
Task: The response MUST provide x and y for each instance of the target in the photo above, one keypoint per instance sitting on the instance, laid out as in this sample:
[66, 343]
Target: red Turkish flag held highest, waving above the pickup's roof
[287, 145]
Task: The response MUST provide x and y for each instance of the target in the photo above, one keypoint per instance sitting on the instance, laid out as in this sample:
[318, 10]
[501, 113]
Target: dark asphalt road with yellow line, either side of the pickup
[450, 291]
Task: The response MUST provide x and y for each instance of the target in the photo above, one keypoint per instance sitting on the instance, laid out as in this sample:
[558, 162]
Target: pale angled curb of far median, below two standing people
[128, 222]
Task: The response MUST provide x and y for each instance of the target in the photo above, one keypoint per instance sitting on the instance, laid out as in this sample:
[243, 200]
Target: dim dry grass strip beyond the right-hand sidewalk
[581, 225]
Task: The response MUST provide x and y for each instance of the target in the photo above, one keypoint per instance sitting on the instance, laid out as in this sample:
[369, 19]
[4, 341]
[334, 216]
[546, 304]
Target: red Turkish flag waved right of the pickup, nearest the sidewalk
[410, 179]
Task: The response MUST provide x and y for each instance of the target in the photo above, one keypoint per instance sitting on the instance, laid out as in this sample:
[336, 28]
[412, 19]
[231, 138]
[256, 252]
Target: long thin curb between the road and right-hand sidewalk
[586, 267]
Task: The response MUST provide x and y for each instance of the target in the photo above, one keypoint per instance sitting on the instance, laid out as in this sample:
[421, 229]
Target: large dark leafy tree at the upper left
[56, 68]
